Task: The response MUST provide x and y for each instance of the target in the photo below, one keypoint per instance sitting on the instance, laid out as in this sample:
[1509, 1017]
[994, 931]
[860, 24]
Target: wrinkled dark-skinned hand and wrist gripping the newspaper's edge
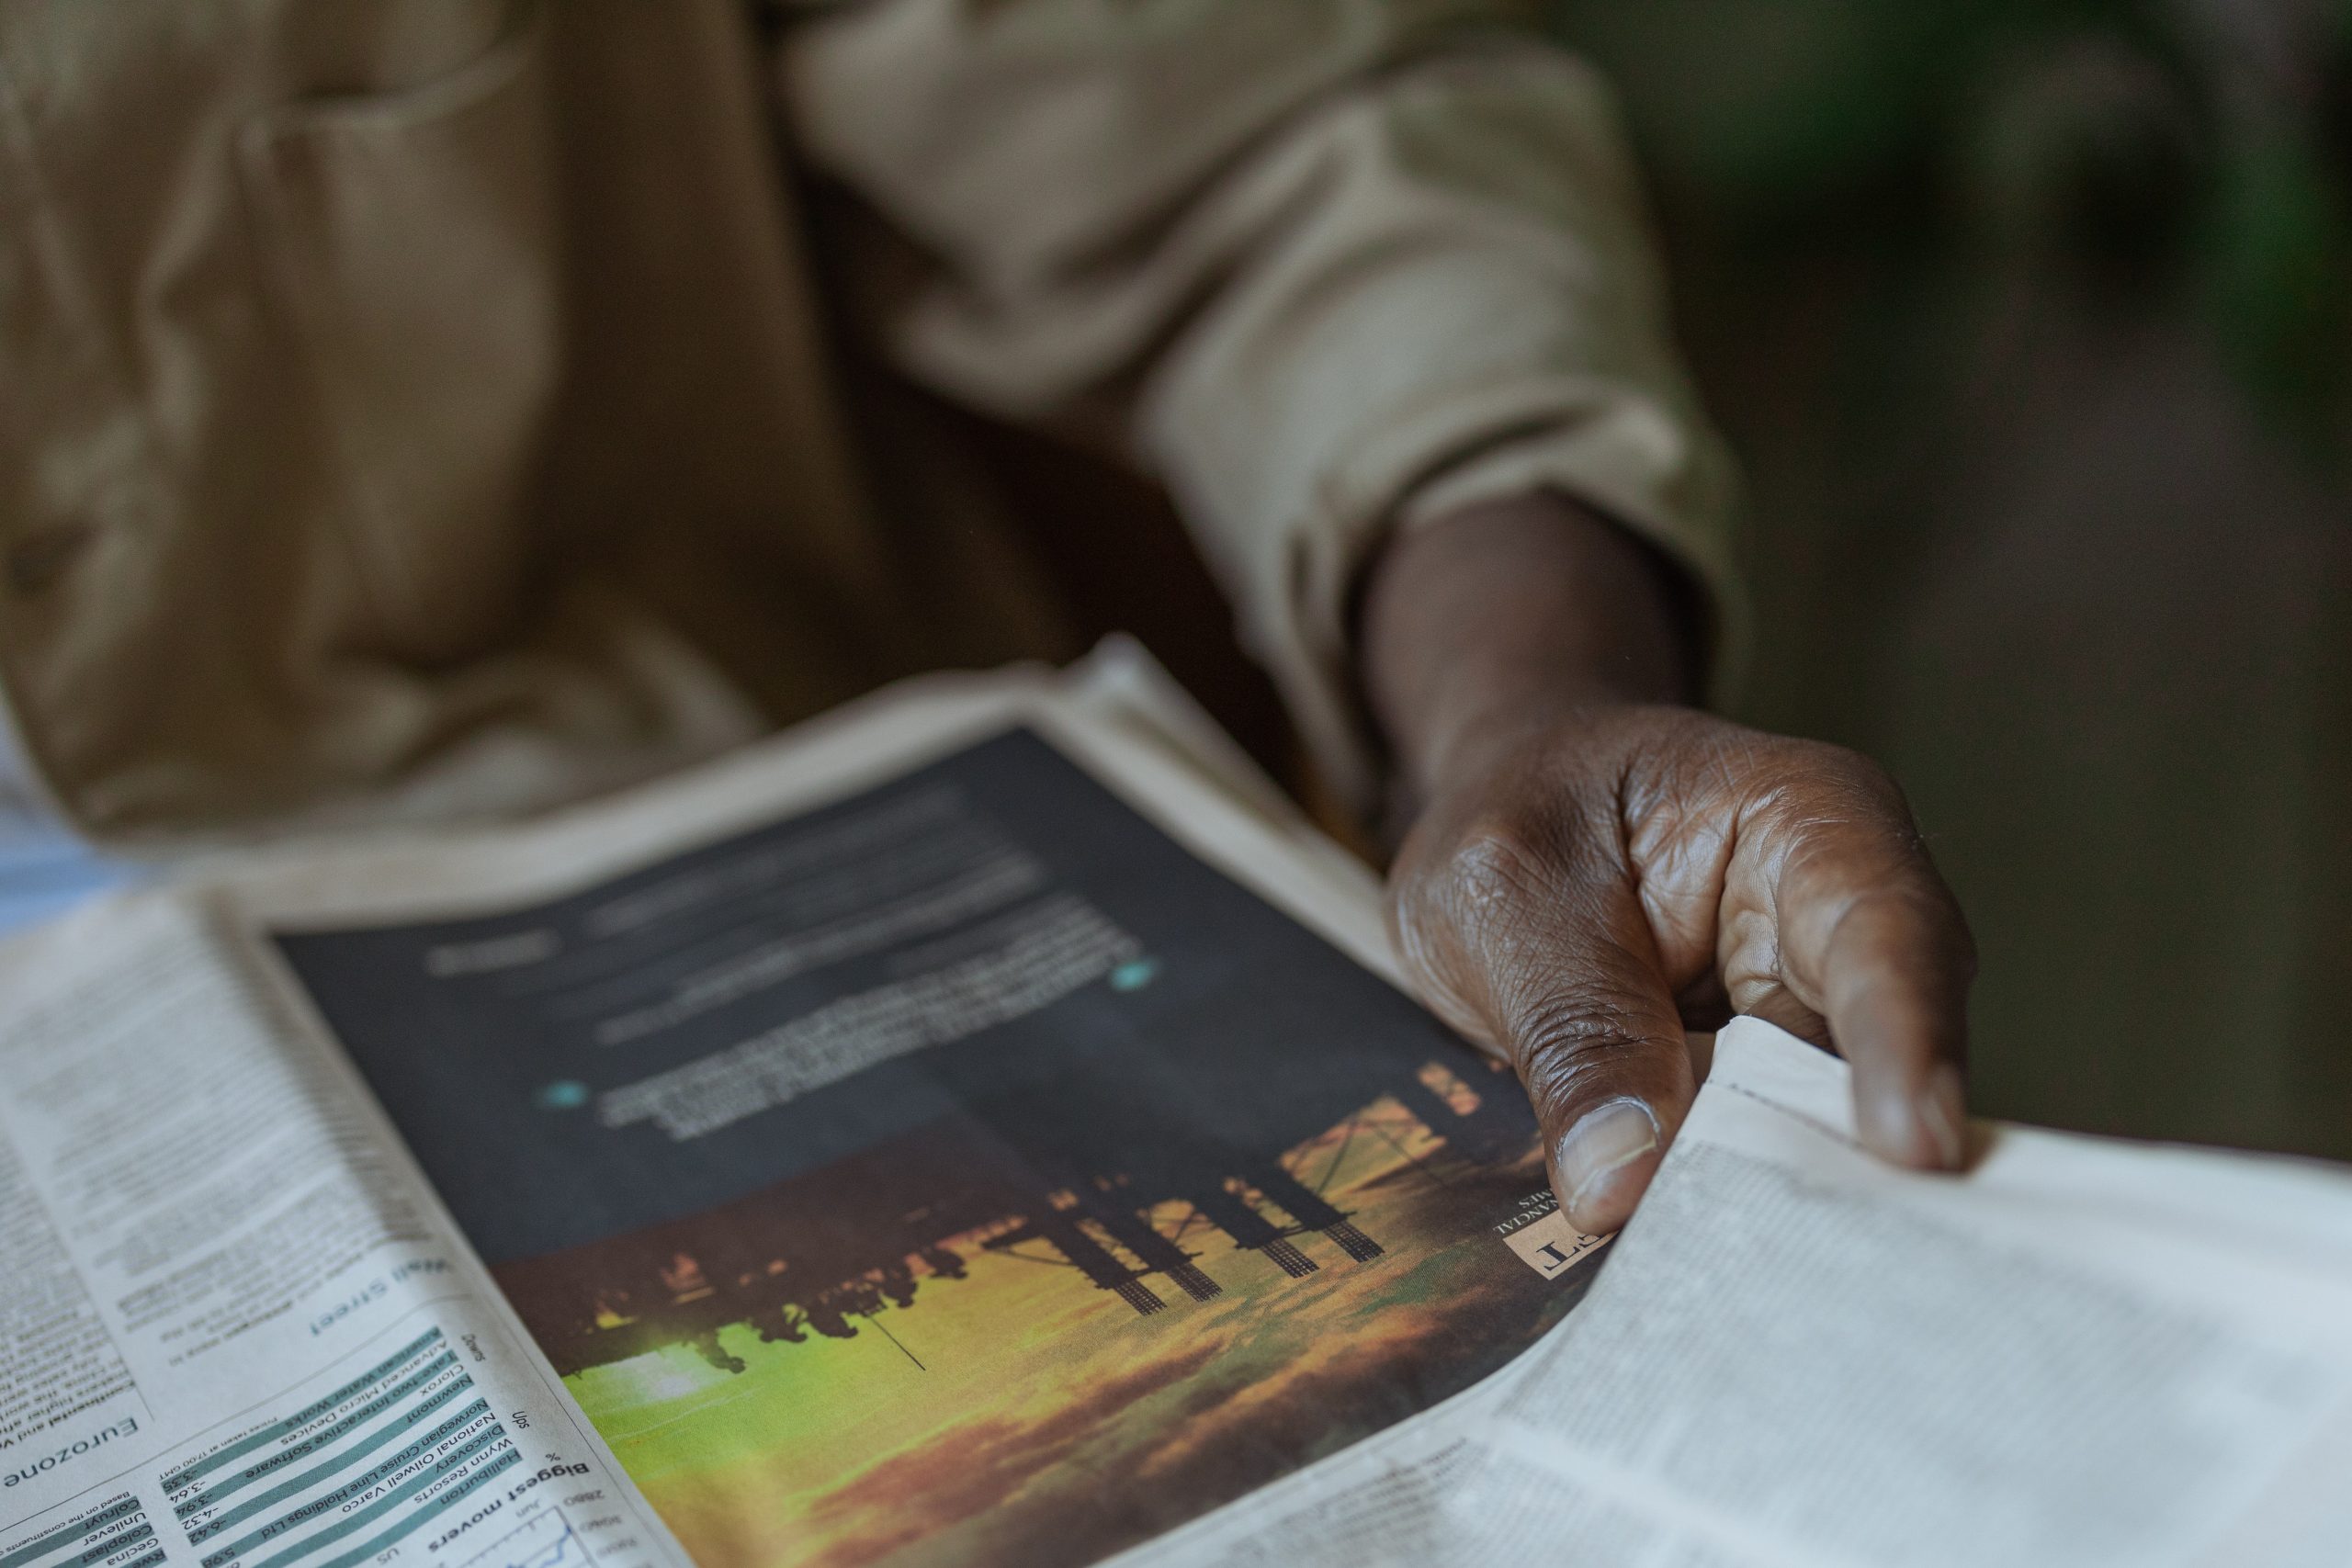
[1593, 866]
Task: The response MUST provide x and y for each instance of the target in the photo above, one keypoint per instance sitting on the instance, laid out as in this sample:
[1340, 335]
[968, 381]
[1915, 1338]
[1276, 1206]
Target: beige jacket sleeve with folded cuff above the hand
[1332, 264]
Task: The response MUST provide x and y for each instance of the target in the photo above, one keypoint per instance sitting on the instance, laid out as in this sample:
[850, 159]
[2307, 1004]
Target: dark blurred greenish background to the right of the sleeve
[2033, 328]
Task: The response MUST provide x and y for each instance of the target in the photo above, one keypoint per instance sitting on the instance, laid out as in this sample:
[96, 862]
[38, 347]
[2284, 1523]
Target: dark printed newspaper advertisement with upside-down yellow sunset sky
[963, 1172]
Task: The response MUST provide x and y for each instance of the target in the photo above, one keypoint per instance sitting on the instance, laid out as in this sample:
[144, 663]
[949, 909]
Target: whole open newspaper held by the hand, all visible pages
[987, 1127]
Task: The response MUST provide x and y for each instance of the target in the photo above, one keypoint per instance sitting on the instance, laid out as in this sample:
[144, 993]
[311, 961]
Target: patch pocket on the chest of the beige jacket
[413, 243]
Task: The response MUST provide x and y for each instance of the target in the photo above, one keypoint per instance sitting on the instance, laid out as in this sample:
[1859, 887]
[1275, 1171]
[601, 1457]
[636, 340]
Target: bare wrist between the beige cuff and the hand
[1514, 615]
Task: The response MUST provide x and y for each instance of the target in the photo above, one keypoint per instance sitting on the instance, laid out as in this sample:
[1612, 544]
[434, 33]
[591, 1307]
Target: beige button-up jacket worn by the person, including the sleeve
[455, 406]
